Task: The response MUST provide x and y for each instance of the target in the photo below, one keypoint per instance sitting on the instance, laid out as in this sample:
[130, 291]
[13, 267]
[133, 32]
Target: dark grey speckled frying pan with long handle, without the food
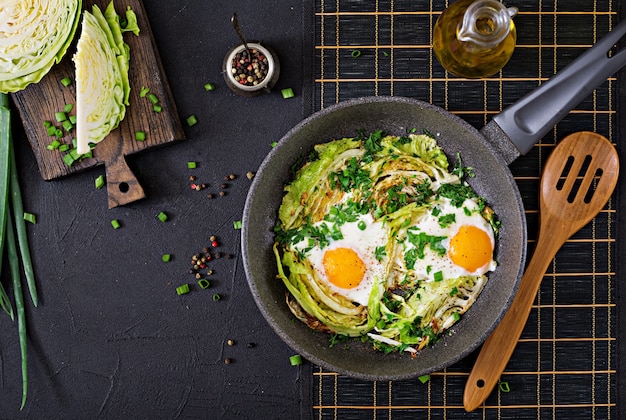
[489, 151]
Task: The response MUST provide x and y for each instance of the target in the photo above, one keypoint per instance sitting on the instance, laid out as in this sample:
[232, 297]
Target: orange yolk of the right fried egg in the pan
[470, 248]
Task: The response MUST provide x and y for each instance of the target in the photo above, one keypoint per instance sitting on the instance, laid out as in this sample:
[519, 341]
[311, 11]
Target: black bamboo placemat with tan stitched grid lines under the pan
[565, 364]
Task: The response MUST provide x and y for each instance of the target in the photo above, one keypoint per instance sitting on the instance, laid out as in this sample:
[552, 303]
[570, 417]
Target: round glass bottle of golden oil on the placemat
[475, 38]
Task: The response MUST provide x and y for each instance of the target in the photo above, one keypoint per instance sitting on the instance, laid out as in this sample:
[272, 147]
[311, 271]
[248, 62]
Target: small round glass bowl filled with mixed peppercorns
[246, 89]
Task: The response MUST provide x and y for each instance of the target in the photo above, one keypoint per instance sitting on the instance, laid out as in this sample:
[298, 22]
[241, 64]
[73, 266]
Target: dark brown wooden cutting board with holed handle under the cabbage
[39, 102]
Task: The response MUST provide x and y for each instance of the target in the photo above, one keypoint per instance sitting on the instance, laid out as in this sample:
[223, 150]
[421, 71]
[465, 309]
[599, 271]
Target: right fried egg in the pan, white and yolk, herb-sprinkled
[450, 242]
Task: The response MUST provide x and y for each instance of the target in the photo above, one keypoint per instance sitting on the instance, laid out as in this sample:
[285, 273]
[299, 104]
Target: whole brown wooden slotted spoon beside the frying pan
[577, 181]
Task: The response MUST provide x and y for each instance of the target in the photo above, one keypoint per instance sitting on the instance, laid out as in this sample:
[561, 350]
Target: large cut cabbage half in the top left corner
[34, 35]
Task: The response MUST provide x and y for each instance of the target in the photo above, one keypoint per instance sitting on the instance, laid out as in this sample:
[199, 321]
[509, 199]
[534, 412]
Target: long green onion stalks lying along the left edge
[13, 234]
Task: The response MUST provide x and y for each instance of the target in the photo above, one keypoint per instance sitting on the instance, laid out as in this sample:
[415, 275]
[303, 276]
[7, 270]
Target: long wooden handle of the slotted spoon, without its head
[499, 346]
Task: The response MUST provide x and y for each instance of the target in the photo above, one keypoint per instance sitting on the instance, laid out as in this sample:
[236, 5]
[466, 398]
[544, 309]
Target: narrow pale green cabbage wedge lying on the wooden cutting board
[102, 83]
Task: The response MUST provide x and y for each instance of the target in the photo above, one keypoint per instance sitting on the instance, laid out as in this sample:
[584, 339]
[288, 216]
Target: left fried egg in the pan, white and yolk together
[349, 266]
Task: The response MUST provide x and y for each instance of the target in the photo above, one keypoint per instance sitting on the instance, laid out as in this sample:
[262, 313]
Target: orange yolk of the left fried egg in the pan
[344, 268]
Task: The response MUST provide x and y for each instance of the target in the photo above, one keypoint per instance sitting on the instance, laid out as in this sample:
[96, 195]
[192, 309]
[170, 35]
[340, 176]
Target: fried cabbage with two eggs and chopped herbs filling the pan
[377, 238]
